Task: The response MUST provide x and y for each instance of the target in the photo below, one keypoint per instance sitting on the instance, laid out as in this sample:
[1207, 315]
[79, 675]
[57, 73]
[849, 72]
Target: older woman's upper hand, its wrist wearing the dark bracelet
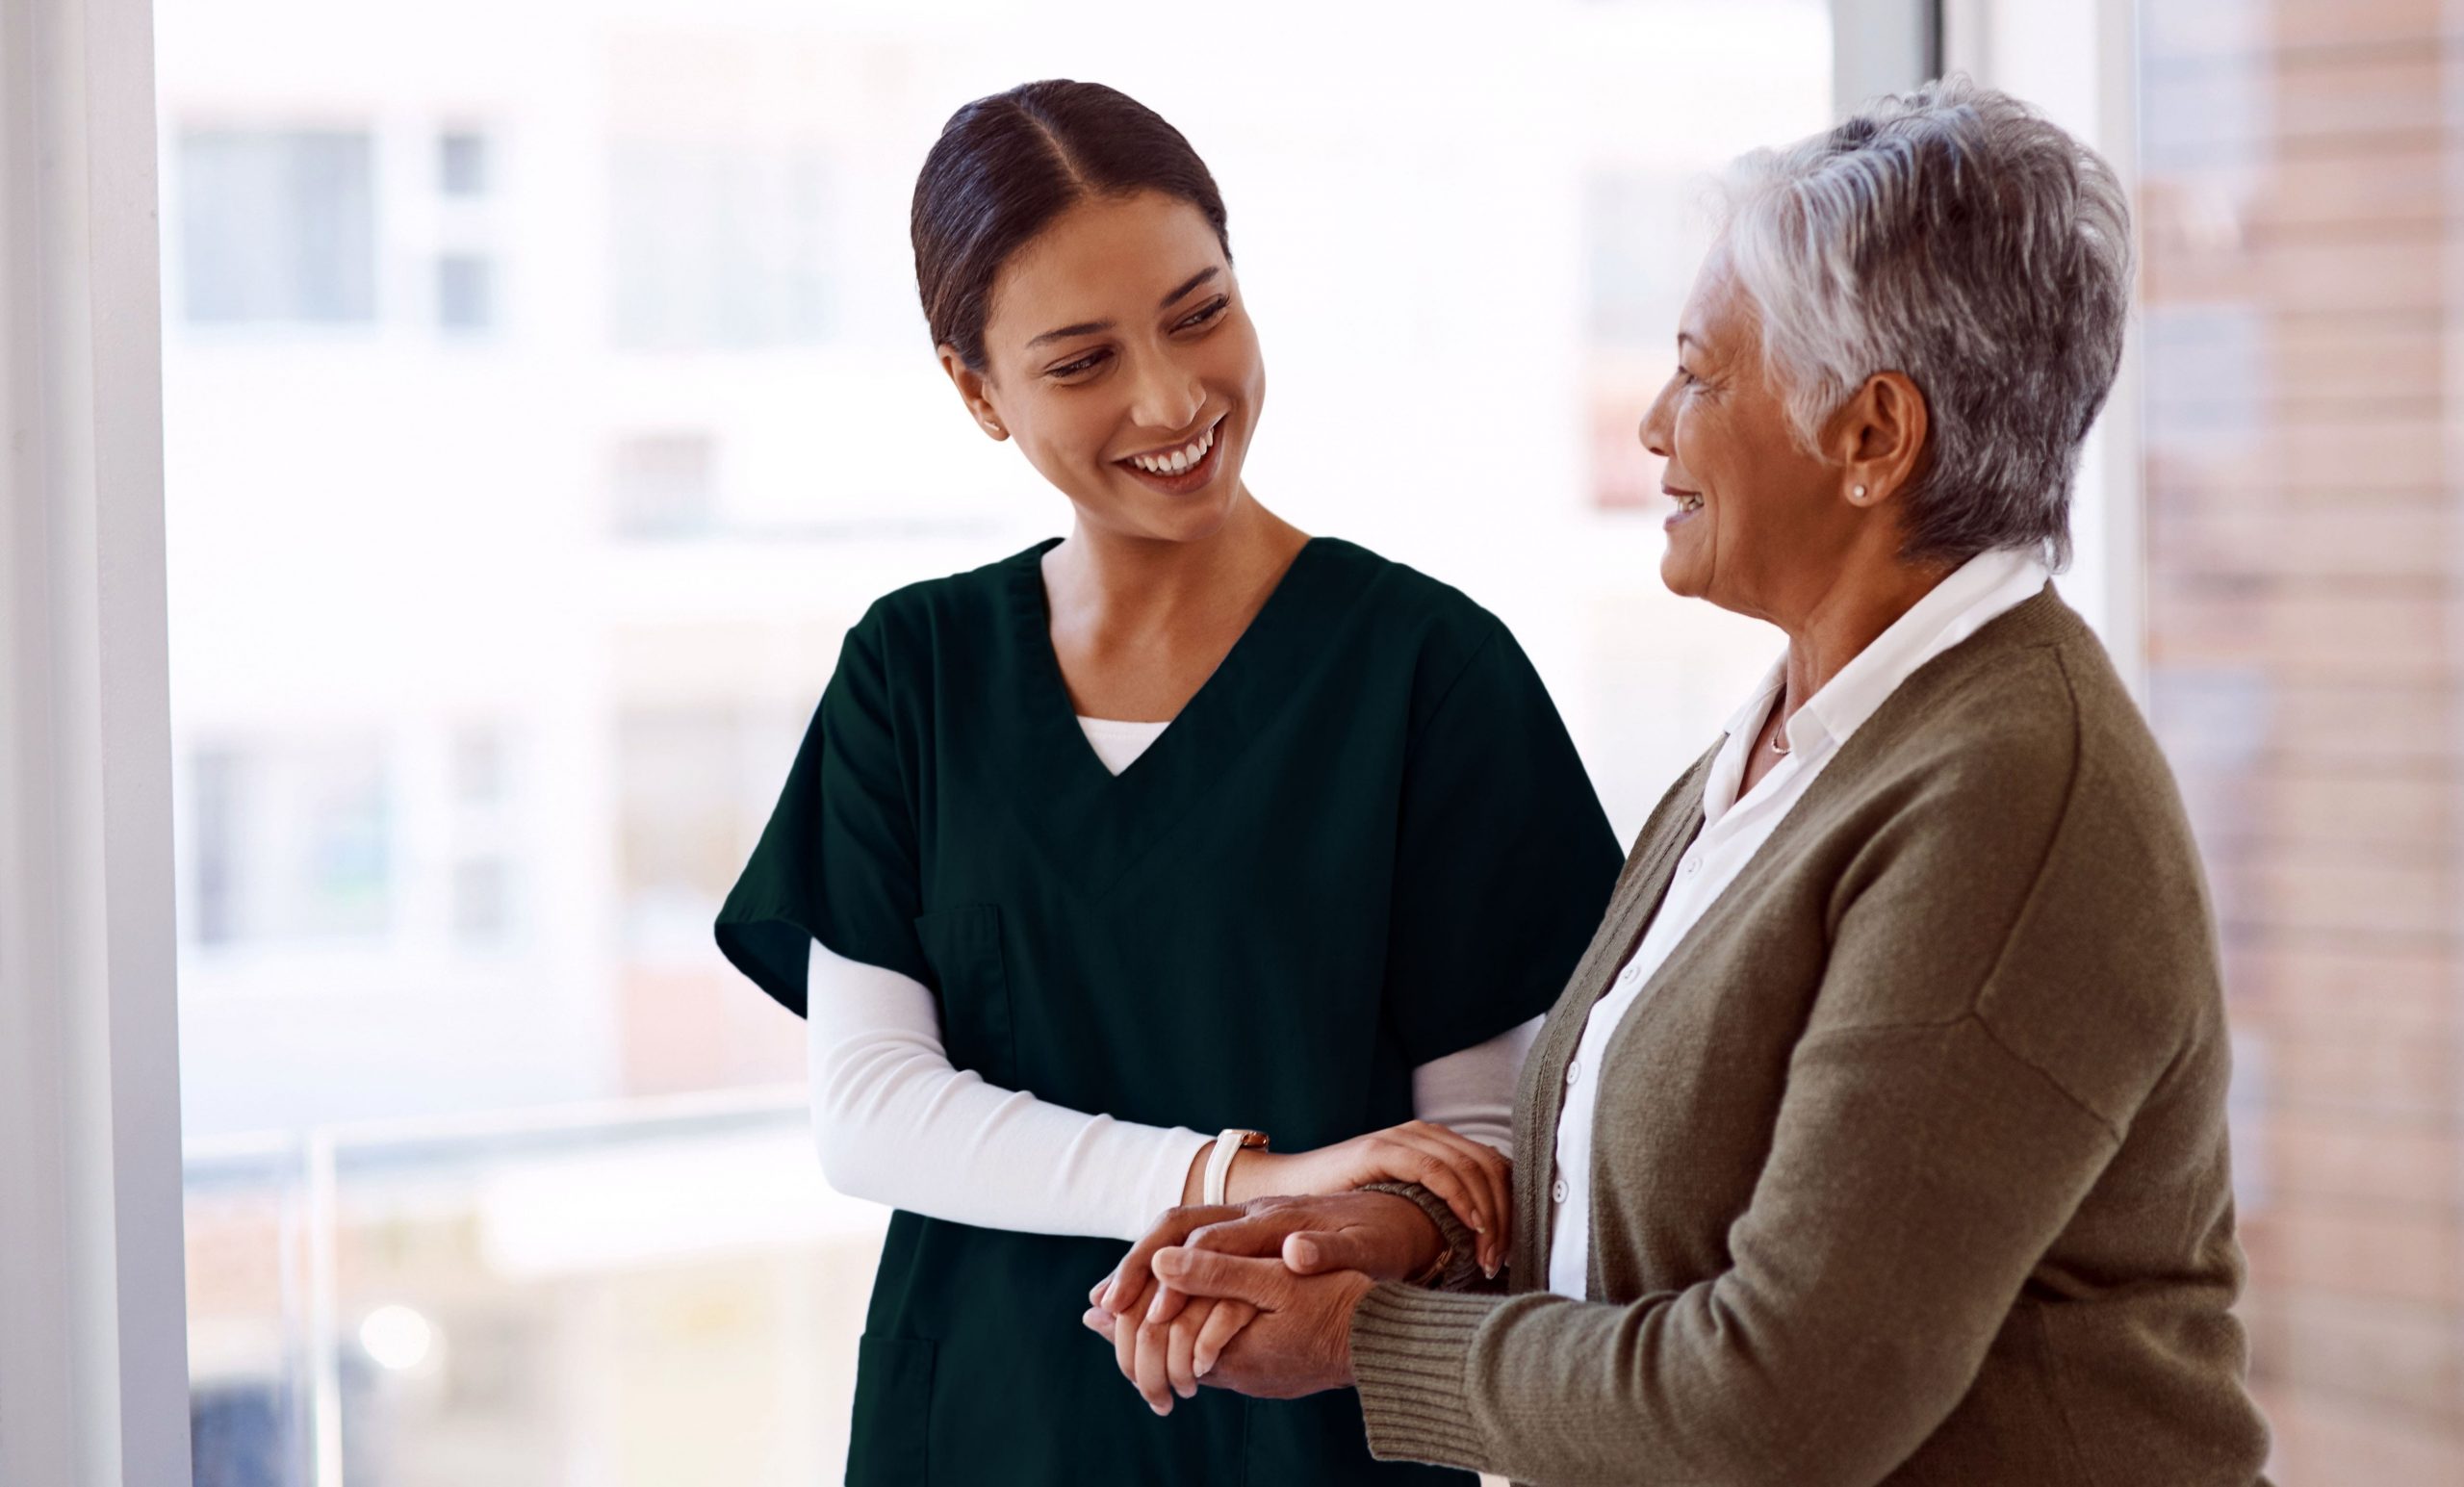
[1167, 1338]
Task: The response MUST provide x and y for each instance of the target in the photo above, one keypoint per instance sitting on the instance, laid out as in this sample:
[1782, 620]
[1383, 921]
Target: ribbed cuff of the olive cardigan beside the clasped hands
[1411, 1350]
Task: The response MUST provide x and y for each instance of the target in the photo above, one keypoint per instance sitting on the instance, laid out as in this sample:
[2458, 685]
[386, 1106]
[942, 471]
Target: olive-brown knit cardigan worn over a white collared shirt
[1908, 1163]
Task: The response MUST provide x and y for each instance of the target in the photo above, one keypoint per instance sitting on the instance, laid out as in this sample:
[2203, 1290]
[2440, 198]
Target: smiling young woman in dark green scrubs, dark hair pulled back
[1181, 826]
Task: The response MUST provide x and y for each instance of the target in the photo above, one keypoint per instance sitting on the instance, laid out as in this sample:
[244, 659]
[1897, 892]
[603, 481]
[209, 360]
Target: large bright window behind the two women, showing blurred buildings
[496, 622]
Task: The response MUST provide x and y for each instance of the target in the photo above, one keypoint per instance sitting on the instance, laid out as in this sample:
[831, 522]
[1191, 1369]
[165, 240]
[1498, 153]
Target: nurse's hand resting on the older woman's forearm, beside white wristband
[1472, 1178]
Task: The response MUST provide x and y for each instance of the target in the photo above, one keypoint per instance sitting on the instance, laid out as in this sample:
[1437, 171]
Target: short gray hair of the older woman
[1963, 240]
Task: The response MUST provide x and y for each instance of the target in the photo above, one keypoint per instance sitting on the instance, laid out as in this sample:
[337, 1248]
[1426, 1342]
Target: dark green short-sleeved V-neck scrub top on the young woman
[1364, 846]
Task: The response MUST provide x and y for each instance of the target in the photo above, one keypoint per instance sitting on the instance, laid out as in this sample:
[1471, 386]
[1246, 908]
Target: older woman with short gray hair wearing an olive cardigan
[1881, 1131]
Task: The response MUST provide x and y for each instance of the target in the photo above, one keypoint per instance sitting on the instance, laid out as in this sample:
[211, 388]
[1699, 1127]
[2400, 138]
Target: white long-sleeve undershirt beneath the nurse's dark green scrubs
[898, 1126]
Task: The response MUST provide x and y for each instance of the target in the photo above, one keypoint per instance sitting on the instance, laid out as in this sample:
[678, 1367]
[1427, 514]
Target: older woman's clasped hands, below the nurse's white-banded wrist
[1258, 1296]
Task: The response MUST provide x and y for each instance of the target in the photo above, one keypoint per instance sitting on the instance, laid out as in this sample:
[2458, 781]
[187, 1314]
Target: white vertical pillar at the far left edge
[92, 1301]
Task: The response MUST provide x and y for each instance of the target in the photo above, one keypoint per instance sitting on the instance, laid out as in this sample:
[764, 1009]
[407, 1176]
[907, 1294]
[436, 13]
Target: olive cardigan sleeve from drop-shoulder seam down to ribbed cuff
[1871, 1274]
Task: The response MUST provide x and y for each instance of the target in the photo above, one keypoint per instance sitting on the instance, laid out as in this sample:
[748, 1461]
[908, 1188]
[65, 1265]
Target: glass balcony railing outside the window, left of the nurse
[598, 1296]
